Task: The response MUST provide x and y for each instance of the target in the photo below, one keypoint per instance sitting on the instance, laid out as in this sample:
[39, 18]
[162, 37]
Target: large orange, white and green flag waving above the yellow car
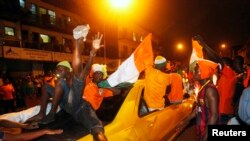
[129, 70]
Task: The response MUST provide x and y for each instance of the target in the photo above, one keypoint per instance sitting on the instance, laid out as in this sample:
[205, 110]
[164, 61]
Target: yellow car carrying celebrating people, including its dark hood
[126, 117]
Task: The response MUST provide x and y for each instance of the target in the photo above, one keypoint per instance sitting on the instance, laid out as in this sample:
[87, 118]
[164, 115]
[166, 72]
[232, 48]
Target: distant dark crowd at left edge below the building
[24, 92]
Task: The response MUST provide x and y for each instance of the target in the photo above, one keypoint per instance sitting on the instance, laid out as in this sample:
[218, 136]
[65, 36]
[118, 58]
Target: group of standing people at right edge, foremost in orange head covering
[221, 102]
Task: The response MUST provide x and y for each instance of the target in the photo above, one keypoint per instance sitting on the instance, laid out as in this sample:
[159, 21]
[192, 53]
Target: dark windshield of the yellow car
[111, 105]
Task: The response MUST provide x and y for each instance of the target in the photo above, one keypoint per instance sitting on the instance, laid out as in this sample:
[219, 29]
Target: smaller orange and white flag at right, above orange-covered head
[196, 54]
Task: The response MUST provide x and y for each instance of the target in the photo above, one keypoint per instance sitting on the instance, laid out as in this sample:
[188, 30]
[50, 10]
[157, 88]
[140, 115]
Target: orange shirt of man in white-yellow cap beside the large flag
[95, 95]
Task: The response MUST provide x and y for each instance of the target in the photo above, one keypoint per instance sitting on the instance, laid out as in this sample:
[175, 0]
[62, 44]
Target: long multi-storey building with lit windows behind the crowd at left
[36, 35]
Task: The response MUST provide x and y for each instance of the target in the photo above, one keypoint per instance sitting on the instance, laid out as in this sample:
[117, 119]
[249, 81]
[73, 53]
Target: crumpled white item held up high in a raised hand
[81, 31]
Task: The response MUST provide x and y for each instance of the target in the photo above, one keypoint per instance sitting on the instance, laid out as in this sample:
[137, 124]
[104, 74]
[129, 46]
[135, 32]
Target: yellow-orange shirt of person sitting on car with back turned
[156, 83]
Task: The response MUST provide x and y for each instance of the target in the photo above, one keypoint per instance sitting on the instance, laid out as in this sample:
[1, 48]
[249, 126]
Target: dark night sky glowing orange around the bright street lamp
[174, 21]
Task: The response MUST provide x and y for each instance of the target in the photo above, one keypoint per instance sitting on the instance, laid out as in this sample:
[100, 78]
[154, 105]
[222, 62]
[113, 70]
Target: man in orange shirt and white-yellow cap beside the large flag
[92, 93]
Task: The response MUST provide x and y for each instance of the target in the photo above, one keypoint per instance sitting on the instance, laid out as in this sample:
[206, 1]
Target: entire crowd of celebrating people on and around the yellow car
[75, 90]
